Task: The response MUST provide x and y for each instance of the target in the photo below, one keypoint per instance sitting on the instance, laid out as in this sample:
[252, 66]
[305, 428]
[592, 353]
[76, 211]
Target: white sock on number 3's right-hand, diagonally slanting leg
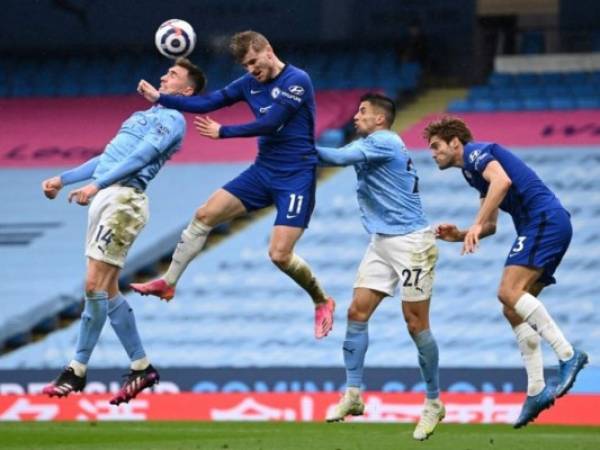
[535, 314]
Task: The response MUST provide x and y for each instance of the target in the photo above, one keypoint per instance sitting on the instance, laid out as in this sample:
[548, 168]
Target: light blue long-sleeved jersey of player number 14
[157, 128]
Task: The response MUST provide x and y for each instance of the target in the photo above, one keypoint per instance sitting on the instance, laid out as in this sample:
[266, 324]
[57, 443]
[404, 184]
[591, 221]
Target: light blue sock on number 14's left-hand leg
[92, 320]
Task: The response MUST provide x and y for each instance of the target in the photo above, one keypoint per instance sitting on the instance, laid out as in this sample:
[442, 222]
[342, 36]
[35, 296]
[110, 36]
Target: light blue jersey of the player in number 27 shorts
[388, 186]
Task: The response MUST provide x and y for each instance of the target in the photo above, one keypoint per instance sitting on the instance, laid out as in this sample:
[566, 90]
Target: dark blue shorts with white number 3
[542, 243]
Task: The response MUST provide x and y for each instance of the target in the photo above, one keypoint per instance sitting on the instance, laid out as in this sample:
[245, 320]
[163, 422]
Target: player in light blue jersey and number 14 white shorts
[117, 214]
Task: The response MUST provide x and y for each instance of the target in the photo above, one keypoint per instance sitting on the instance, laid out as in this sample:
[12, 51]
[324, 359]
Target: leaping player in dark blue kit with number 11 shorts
[281, 97]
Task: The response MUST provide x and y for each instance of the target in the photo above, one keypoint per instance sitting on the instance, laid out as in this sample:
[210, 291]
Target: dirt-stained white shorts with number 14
[116, 216]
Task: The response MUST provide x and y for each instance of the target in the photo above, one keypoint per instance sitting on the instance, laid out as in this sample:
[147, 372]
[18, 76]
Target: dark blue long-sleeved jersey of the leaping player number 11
[284, 108]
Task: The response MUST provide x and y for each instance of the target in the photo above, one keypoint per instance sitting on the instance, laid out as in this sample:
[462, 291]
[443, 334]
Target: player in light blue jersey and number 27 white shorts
[402, 250]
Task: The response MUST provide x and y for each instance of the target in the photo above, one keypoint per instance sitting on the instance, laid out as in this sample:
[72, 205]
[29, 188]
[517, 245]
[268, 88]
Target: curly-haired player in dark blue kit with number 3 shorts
[543, 235]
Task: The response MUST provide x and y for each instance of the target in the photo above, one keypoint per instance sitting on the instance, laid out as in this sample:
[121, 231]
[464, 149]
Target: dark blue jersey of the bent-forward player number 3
[527, 196]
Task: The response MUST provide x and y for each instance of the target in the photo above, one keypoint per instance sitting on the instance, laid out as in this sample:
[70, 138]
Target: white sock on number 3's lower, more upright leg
[531, 352]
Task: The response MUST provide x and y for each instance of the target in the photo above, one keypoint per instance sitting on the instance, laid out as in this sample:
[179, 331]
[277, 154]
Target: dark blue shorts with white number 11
[292, 193]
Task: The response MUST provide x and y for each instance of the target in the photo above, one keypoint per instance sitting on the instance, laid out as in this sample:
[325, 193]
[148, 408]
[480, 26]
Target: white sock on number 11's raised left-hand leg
[192, 241]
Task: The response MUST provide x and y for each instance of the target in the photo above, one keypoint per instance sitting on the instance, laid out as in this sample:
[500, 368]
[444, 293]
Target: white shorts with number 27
[409, 259]
